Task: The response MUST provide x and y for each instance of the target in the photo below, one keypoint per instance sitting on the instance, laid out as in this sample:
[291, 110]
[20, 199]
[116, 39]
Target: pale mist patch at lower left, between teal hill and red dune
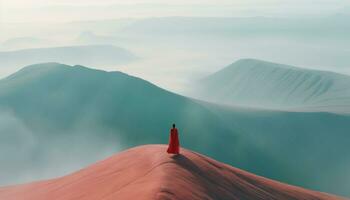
[34, 155]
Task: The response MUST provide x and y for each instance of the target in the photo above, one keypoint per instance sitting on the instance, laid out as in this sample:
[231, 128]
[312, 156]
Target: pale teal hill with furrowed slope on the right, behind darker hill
[257, 83]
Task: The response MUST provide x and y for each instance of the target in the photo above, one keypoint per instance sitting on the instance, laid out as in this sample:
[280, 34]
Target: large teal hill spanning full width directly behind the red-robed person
[63, 117]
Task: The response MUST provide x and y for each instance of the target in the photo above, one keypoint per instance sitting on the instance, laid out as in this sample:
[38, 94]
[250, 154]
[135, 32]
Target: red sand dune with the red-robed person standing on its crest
[148, 172]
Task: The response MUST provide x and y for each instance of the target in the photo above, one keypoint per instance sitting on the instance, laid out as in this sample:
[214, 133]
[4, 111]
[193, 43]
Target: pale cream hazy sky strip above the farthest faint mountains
[66, 10]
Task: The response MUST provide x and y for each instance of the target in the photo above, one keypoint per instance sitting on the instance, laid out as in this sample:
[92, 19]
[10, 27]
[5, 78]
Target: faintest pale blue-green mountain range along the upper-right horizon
[239, 26]
